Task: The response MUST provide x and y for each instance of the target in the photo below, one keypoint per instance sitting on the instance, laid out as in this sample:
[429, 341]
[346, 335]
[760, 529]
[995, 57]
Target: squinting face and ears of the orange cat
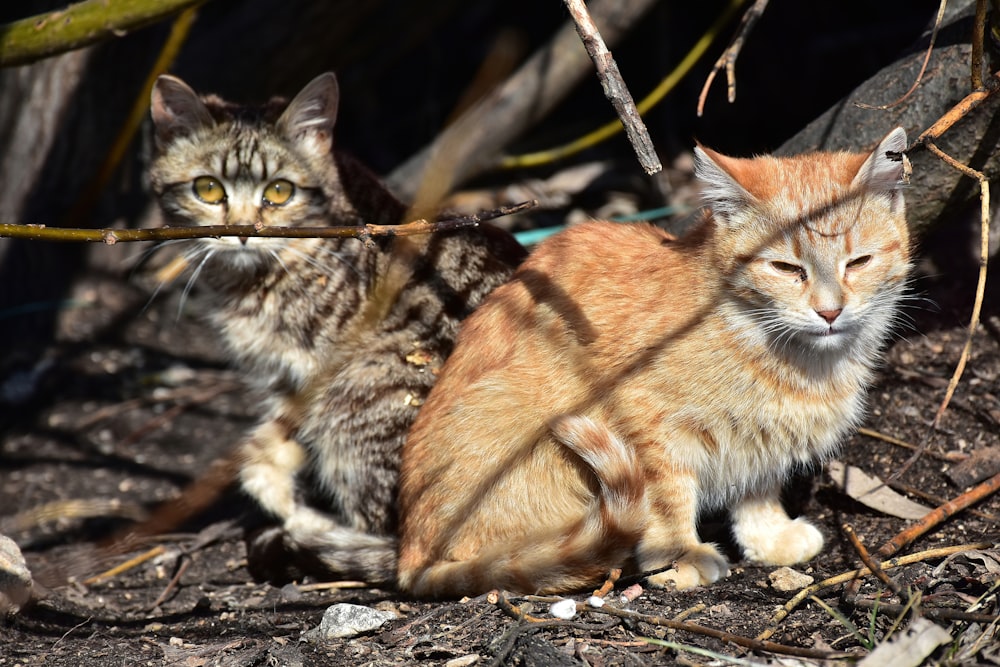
[811, 279]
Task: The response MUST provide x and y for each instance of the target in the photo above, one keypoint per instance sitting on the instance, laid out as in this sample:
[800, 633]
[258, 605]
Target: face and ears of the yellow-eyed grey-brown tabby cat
[219, 167]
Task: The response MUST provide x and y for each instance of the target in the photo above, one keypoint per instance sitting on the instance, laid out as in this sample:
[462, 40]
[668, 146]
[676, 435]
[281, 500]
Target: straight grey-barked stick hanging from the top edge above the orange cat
[614, 87]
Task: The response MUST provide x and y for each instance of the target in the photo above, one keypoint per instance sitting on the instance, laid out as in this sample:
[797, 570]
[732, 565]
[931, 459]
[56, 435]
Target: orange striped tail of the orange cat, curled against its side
[569, 559]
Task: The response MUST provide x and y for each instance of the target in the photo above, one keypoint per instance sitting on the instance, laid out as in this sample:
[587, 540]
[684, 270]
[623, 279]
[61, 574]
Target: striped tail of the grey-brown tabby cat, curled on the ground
[313, 543]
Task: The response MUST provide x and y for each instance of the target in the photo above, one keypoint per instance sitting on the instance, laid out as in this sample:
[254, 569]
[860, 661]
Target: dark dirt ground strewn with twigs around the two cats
[133, 401]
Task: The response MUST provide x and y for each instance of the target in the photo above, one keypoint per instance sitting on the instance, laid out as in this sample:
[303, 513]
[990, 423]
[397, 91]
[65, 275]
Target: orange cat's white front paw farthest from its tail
[768, 535]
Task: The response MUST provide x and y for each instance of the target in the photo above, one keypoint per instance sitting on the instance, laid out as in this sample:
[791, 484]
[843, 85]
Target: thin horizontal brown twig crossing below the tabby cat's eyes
[364, 232]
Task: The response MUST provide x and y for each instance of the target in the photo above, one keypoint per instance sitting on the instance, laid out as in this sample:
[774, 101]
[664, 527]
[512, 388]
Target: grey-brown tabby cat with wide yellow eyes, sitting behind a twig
[344, 337]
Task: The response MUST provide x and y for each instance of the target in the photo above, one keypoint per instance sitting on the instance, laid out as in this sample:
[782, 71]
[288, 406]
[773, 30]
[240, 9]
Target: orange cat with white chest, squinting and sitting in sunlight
[624, 381]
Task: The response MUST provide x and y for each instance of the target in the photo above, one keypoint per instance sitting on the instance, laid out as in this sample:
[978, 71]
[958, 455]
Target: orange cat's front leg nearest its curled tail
[671, 540]
